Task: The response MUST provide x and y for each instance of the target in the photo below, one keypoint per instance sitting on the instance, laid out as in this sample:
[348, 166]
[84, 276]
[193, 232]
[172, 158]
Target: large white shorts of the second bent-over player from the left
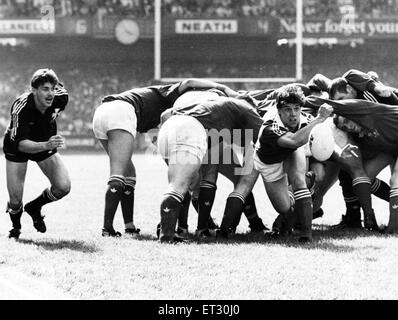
[182, 134]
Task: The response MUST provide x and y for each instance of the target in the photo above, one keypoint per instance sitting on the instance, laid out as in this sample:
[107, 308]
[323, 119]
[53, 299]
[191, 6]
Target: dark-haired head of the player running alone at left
[43, 87]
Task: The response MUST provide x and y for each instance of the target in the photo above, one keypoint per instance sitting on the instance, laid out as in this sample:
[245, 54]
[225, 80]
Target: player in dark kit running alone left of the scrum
[32, 135]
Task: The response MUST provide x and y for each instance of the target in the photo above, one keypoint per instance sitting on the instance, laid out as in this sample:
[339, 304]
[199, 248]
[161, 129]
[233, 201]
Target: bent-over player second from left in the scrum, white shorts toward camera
[183, 142]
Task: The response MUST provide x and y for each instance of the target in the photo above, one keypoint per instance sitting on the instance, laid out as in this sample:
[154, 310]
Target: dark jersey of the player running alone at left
[28, 123]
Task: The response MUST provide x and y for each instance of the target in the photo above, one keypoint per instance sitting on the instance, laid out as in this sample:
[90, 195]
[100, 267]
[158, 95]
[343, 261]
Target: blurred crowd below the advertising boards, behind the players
[88, 84]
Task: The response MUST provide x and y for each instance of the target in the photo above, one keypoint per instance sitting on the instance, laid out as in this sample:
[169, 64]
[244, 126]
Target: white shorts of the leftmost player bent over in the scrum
[114, 115]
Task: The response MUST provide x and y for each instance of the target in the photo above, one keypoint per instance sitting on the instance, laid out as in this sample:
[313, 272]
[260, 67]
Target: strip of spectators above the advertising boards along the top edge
[200, 8]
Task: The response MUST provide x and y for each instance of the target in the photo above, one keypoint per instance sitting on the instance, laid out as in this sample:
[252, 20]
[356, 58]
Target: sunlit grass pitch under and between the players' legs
[73, 257]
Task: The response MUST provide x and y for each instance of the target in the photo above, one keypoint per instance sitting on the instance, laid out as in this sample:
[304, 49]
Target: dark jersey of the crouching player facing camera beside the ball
[267, 148]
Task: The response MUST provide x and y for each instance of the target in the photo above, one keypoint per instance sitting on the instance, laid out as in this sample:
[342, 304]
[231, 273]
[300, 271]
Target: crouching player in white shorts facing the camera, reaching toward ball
[280, 157]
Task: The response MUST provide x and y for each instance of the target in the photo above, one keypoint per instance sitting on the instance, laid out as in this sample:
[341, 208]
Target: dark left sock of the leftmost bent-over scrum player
[113, 196]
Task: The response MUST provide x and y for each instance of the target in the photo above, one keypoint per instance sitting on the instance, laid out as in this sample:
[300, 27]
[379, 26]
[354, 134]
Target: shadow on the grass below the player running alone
[53, 245]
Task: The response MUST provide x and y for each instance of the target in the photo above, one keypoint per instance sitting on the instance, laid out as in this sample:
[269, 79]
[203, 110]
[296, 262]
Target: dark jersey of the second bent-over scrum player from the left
[225, 114]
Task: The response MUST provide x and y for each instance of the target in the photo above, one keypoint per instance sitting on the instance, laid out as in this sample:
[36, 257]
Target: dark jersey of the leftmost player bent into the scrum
[149, 103]
